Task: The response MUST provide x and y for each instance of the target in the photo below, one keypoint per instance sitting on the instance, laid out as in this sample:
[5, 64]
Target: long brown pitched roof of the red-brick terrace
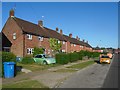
[35, 29]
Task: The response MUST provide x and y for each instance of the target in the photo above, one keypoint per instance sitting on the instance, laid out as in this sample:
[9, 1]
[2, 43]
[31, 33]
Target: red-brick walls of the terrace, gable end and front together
[21, 43]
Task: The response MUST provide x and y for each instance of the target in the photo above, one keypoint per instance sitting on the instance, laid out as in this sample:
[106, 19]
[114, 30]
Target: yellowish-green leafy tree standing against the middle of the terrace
[55, 45]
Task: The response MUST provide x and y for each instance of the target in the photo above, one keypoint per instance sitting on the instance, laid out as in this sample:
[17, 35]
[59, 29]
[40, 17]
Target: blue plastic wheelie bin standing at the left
[9, 69]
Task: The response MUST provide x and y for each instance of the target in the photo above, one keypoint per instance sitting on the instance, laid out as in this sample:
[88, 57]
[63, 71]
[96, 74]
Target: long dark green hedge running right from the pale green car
[64, 58]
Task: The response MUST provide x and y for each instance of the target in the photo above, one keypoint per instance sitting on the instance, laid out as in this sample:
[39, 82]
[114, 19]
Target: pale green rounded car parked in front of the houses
[43, 59]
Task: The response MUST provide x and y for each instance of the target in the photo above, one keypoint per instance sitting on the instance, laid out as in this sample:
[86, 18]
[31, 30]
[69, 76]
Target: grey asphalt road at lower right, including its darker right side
[94, 76]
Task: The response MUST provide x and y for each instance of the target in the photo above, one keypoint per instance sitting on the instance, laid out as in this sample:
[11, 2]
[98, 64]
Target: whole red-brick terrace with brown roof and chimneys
[21, 36]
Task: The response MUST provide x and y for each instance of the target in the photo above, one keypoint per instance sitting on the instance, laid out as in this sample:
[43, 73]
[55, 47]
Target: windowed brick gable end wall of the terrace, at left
[17, 44]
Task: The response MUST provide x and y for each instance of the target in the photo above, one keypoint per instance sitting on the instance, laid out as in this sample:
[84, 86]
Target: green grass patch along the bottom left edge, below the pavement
[25, 84]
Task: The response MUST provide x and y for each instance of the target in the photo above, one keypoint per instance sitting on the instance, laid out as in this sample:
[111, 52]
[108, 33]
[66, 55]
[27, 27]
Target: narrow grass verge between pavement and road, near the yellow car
[82, 65]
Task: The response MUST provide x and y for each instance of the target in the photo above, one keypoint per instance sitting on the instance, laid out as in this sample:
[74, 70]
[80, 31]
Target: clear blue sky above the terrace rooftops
[96, 22]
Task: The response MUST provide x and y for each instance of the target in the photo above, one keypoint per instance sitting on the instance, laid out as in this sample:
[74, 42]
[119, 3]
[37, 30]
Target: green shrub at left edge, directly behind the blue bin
[8, 56]
